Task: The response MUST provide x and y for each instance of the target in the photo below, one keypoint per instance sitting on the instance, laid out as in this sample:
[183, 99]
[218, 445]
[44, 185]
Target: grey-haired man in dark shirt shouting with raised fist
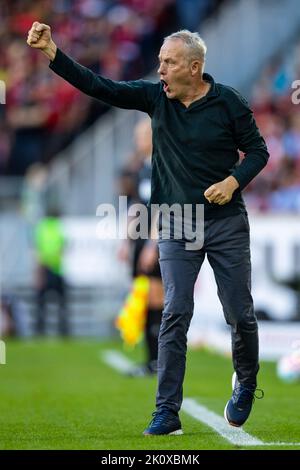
[198, 127]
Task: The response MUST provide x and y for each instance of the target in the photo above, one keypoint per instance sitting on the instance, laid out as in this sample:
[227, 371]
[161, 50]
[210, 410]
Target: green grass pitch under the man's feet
[60, 395]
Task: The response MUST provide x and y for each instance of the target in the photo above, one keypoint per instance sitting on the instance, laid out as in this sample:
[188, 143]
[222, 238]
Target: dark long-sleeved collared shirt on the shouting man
[193, 147]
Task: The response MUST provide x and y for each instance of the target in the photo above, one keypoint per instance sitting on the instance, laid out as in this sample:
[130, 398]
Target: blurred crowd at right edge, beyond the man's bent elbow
[277, 188]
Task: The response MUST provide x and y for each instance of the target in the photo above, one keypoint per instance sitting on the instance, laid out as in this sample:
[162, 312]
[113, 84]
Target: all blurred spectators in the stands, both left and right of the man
[120, 39]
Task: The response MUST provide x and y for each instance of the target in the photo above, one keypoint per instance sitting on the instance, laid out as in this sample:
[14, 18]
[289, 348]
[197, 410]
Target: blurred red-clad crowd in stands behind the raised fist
[116, 38]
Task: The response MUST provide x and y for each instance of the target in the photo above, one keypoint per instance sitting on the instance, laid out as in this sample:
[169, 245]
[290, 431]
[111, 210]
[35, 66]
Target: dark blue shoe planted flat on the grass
[164, 422]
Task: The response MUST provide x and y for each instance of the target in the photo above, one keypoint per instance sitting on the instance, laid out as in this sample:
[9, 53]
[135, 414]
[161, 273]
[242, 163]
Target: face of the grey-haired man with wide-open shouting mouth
[175, 71]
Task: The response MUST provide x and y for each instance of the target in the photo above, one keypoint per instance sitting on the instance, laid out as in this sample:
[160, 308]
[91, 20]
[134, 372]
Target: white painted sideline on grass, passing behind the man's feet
[235, 436]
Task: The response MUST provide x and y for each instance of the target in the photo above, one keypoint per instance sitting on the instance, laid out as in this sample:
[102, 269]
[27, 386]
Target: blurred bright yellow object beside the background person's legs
[132, 317]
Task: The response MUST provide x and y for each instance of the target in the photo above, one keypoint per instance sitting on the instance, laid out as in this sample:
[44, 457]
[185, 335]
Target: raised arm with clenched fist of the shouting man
[138, 94]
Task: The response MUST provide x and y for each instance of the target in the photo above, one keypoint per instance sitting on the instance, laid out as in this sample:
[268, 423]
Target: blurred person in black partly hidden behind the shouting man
[142, 253]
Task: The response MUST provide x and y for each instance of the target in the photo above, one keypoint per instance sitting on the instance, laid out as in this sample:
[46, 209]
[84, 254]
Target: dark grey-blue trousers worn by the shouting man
[226, 244]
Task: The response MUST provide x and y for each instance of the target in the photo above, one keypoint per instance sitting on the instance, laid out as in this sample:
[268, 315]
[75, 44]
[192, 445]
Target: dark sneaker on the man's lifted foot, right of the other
[238, 408]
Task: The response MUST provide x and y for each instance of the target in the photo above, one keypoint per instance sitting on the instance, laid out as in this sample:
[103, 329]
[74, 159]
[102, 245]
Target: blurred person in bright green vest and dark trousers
[49, 247]
